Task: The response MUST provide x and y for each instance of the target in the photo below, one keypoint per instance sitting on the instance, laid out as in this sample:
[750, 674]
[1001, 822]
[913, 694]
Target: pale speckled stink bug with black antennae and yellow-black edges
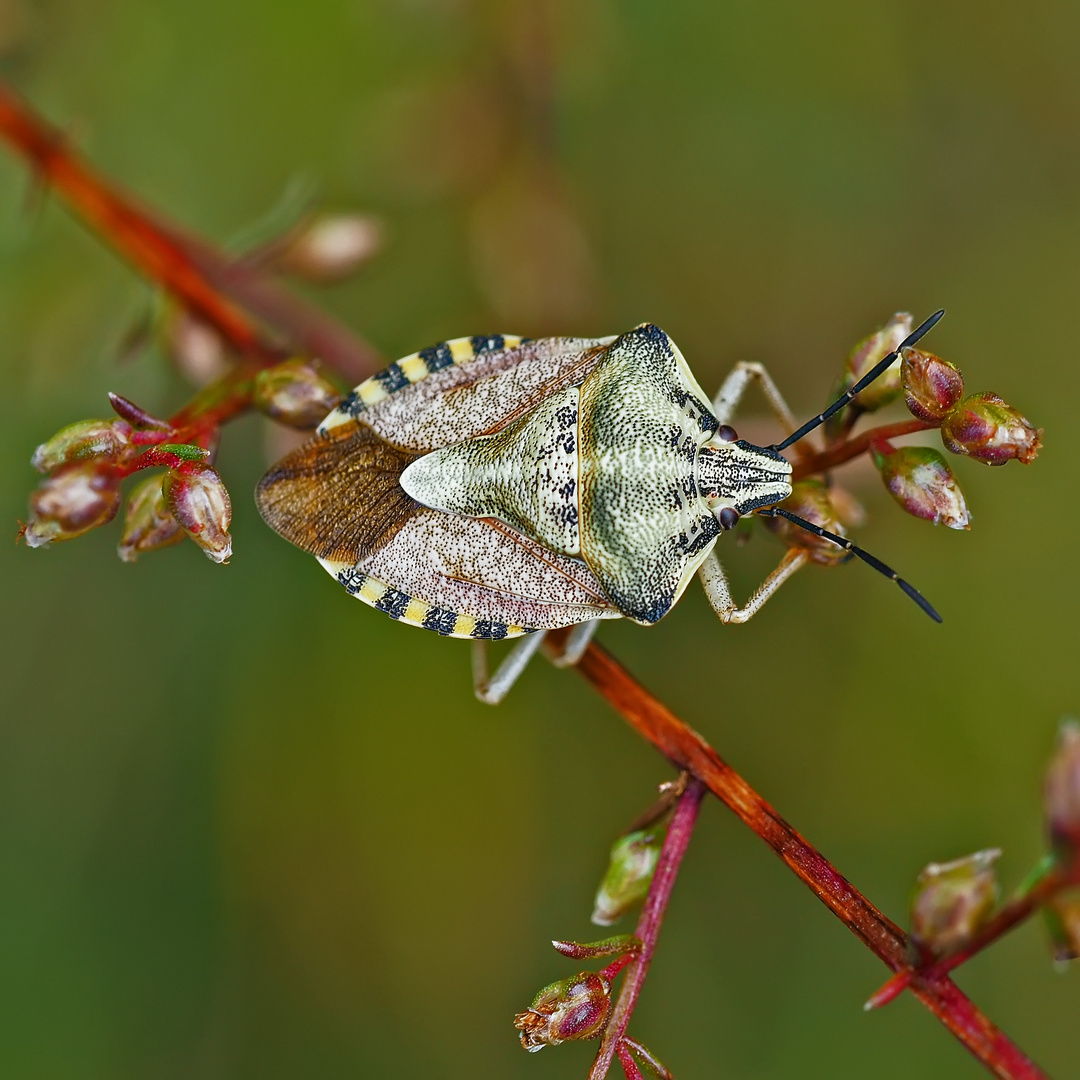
[494, 488]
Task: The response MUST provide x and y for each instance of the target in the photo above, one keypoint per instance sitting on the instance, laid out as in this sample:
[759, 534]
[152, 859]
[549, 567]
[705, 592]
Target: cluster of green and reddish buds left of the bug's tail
[85, 466]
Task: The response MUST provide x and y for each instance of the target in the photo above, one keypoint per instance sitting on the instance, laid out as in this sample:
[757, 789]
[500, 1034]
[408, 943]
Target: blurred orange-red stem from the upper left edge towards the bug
[191, 269]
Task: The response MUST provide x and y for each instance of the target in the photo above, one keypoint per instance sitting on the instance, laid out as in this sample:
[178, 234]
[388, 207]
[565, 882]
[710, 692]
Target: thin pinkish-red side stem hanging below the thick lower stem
[649, 926]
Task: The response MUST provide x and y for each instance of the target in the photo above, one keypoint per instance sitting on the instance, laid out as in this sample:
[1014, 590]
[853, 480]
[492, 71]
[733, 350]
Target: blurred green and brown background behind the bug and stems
[250, 829]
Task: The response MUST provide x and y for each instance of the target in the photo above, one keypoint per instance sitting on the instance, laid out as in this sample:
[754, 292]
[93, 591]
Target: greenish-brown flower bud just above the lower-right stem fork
[953, 900]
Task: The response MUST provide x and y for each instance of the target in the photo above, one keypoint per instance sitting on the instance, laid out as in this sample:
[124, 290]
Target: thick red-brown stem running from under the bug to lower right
[688, 751]
